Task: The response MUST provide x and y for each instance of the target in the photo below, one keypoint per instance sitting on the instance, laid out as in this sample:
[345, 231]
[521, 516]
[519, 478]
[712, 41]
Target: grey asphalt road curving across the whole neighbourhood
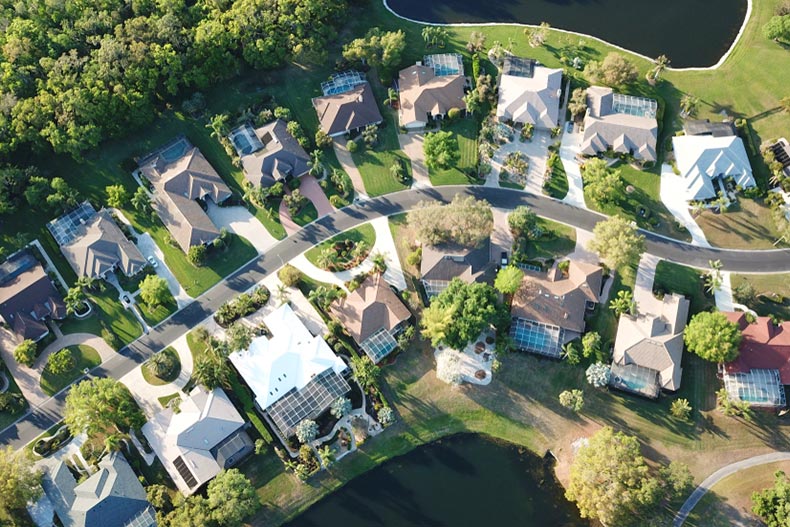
[43, 417]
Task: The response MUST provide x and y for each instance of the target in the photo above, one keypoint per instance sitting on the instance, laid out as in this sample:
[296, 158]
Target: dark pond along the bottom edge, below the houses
[463, 480]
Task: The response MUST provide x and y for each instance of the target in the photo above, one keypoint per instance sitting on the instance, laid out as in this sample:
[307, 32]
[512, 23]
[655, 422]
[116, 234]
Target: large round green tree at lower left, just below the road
[101, 405]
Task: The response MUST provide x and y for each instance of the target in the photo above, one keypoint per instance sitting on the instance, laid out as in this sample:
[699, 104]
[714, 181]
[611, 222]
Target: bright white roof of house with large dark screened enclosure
[288, 360]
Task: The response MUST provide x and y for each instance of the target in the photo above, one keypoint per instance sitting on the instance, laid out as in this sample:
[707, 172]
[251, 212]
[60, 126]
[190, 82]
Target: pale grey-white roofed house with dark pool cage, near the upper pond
[529, 93]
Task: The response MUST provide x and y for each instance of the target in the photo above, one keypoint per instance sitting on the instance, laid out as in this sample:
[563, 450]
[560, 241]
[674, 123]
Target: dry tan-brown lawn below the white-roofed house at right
[747, 225]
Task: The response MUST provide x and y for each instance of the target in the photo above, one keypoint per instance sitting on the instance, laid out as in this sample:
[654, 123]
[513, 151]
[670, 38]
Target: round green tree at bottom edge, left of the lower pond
[232, 498]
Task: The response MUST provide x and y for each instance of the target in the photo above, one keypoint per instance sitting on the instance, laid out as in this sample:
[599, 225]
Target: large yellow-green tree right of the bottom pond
[609, 479]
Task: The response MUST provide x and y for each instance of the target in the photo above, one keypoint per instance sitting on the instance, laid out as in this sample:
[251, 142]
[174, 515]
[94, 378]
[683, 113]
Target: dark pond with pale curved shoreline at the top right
[692, 33]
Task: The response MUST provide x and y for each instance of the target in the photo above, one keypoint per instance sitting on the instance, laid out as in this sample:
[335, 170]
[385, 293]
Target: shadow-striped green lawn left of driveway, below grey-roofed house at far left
[108, 310]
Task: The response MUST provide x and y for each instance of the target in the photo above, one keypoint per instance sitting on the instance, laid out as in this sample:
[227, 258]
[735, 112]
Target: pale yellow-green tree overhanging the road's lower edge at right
[617, 242]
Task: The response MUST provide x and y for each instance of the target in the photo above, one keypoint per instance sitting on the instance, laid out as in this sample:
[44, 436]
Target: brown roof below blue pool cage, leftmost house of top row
[347, 111]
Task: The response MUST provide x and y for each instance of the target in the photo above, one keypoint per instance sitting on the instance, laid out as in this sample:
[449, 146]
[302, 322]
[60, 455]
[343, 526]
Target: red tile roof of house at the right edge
[765, 346]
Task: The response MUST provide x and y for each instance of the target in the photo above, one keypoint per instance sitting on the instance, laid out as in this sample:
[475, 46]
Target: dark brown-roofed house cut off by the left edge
[28, 297]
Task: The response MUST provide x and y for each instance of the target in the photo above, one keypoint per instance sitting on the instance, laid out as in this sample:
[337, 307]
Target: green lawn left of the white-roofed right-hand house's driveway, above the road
[643, 205]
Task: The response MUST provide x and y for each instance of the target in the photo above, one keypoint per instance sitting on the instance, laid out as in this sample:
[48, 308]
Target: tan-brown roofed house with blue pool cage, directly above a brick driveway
[430, 91]
